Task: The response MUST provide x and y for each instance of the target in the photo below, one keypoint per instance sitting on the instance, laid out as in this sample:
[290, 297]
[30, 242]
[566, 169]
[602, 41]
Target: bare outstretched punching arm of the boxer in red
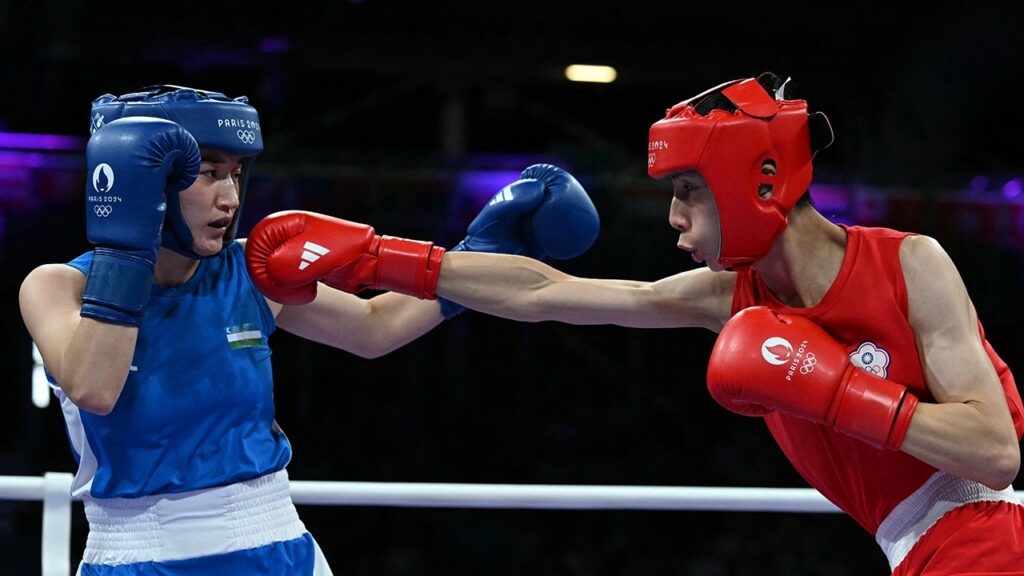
[521, 289]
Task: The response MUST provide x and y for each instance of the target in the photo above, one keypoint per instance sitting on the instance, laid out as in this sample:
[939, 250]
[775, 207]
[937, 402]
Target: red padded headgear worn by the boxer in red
[730, 149]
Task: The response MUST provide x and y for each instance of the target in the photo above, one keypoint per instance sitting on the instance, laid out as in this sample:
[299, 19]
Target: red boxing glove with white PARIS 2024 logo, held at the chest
[763, 362]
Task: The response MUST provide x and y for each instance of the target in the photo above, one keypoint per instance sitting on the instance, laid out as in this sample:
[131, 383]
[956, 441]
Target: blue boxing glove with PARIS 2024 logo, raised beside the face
[134, 164]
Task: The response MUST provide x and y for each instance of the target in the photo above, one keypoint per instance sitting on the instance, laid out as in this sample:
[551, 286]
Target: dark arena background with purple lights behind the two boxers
[409, 116]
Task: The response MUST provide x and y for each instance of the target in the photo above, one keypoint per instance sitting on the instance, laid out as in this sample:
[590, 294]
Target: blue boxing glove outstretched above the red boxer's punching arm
[546, 214]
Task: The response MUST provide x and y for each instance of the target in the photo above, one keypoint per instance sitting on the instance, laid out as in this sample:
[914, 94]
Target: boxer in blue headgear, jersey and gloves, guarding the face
[156, 343]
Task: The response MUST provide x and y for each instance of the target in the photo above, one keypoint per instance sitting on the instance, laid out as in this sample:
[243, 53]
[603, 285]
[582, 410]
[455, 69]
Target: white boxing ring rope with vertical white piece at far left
[55, 491]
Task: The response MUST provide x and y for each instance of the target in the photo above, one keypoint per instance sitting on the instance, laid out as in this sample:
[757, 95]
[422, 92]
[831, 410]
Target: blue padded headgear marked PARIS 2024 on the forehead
[217, 122]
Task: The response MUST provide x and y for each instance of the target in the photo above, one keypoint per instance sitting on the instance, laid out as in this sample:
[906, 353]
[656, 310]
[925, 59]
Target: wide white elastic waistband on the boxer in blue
[166, 527]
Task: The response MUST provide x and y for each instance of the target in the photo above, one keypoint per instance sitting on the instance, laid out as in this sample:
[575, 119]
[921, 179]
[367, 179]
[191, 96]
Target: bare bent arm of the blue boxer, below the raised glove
[89, 358]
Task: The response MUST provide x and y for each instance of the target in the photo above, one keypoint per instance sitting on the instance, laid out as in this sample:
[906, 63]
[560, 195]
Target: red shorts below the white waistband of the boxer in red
[974, 540]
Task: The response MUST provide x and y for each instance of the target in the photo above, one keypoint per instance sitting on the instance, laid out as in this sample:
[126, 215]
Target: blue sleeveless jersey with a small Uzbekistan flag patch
[197, 410]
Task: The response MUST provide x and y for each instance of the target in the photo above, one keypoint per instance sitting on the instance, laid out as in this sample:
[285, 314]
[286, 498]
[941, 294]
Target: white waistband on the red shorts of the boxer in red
[911, 519]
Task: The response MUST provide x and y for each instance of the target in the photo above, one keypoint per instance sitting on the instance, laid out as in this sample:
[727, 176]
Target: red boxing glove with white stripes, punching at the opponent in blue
[288, 253]
